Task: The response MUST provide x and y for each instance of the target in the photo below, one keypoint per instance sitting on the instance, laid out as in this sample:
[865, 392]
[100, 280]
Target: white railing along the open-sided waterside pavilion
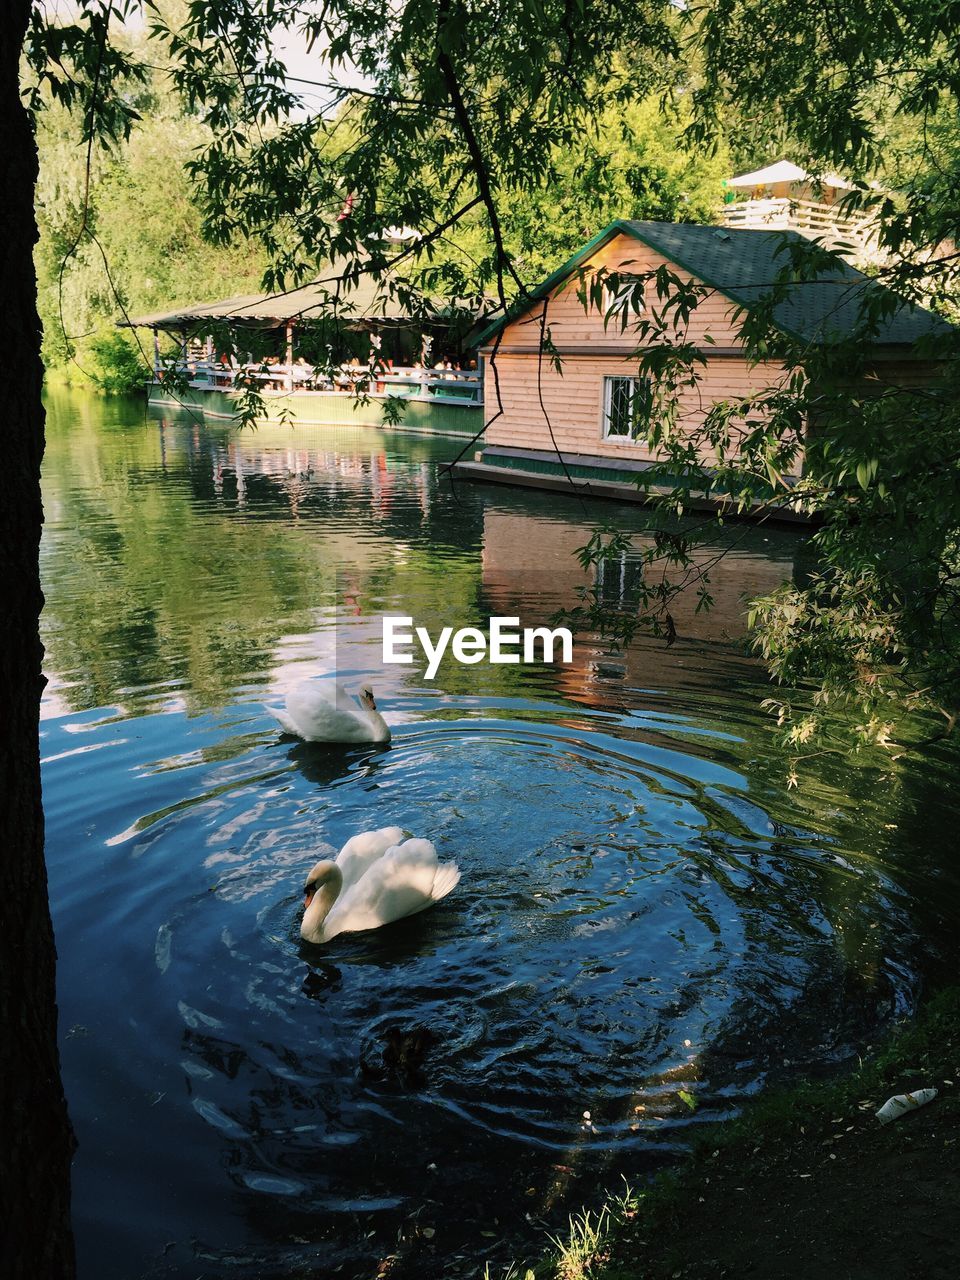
[449, 386]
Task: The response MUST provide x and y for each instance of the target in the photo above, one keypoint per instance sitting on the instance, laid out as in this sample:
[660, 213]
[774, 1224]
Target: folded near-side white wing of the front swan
[405, 881]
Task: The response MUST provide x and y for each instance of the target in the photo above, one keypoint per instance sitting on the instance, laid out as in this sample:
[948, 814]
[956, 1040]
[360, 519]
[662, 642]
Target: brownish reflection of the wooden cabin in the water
[531, 570]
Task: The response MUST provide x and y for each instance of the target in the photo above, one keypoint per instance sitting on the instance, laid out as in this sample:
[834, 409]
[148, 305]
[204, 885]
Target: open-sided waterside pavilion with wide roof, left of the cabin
[321, 359]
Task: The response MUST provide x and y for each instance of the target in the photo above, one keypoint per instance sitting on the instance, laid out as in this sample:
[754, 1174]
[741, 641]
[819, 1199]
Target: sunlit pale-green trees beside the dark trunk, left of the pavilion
[145, 250]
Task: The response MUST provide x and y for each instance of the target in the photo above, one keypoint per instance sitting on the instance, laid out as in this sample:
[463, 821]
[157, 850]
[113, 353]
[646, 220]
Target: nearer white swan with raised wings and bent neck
[376, 880]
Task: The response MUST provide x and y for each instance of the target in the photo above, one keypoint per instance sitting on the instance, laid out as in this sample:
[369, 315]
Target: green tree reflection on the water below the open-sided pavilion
[156, 577]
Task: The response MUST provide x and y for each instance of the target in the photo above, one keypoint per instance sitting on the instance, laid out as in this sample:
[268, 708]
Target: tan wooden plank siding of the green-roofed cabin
[573, 401]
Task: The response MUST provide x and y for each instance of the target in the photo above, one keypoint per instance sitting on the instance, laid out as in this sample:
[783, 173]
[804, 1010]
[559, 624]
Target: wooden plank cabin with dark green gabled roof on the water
[582, 422]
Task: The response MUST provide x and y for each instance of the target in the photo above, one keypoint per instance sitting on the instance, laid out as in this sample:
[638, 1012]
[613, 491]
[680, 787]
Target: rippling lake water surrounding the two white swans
[650, 926]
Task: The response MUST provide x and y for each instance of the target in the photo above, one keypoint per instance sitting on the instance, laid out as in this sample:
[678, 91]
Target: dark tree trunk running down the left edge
[36, 1142]
